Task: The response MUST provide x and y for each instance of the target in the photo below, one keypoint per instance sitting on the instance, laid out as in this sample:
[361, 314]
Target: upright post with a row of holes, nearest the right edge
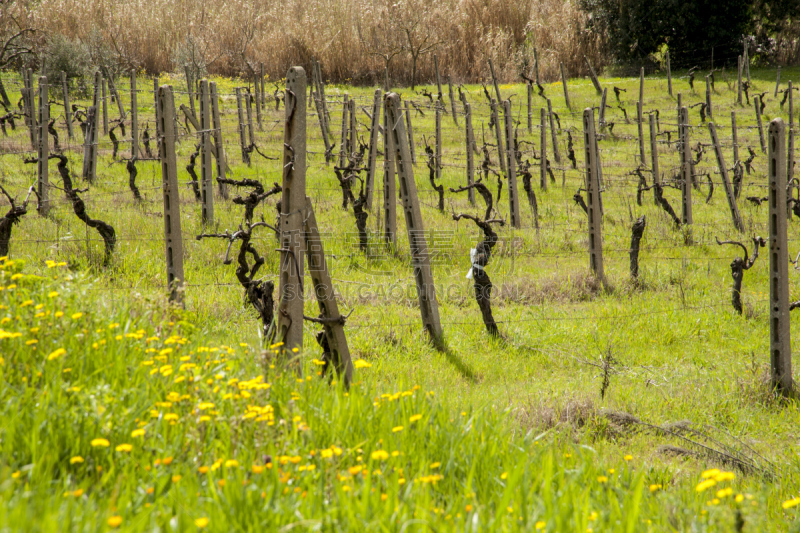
[780, 340]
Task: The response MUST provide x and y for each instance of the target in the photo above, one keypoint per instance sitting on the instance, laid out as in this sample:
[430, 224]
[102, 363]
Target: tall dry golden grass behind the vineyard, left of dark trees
[156, 36]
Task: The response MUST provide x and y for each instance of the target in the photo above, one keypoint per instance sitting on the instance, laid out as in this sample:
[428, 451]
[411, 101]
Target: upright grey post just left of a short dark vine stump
[592, 186]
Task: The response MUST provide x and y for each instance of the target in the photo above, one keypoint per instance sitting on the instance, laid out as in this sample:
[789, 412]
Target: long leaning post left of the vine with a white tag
[426, 291]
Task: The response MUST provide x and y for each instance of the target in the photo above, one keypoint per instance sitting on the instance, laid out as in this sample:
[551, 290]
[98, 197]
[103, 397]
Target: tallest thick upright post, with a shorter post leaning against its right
[293, 212]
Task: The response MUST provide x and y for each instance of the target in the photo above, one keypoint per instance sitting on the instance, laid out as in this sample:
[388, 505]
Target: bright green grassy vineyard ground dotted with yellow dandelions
[119, 411]
